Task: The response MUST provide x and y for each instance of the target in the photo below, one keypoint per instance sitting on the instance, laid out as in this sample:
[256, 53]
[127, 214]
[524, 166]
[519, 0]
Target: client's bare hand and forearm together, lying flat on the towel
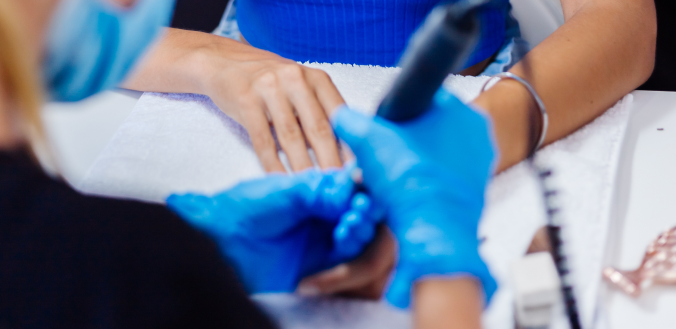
[256, 88]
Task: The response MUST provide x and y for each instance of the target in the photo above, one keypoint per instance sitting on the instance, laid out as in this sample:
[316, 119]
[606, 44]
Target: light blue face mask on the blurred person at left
[92, 45]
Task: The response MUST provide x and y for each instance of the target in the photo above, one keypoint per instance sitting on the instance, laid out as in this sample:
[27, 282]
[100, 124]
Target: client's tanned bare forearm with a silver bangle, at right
[605, 50]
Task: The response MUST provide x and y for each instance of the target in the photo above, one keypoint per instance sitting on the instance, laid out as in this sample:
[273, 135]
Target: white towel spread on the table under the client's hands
[177, 143]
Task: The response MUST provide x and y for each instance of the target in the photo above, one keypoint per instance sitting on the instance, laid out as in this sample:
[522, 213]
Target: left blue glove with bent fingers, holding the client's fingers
[279, 229]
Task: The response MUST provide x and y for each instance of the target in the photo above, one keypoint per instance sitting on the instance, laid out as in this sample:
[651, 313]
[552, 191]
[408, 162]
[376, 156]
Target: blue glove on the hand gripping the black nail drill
[430, 175]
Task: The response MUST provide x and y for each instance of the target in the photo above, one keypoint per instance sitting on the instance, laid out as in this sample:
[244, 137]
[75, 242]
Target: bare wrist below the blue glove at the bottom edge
[447, 303]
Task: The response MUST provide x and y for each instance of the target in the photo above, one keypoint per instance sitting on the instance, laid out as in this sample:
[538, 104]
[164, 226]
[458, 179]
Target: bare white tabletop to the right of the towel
[645, 205]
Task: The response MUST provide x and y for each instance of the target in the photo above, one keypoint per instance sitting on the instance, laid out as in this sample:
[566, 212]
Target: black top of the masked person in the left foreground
[71, 261]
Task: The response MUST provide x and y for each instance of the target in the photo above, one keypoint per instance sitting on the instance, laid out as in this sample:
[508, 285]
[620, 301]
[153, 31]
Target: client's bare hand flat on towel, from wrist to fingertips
[261, 90]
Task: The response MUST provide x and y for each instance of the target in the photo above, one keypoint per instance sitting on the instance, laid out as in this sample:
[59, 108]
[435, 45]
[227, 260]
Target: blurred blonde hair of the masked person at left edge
[19, 74]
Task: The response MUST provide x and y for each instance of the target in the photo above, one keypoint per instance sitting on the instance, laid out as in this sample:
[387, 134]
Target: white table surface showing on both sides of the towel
[645, 198]
